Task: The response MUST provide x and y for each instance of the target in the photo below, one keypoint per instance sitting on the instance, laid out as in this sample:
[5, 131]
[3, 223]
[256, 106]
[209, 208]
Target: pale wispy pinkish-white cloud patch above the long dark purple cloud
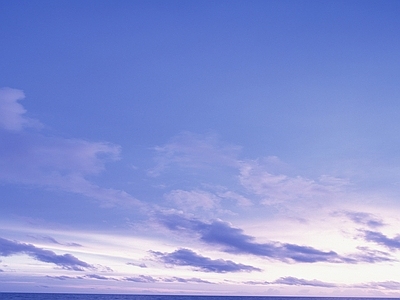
[263, 179]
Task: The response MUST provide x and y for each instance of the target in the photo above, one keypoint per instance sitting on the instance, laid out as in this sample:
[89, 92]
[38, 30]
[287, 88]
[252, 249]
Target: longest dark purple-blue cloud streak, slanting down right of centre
[233, 240]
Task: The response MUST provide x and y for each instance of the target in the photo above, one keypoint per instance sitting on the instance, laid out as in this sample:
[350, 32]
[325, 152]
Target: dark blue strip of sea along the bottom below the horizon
[48, 296]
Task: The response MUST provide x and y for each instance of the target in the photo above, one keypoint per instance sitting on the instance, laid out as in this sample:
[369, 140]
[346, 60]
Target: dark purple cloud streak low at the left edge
[66, 261]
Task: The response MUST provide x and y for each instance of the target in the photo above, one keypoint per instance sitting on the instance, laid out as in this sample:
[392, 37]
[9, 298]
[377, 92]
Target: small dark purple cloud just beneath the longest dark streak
[186, 257]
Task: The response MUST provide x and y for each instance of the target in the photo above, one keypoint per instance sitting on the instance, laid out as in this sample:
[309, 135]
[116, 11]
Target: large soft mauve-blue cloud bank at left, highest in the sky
[30, 157]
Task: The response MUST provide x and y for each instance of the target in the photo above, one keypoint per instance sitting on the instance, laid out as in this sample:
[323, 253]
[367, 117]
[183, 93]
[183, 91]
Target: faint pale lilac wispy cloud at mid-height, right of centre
[259, 177]
